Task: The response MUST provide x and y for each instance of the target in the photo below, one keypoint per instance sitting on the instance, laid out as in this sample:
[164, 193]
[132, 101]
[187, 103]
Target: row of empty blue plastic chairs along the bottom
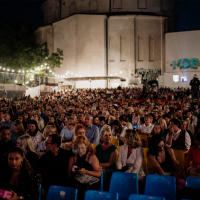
[124, 185]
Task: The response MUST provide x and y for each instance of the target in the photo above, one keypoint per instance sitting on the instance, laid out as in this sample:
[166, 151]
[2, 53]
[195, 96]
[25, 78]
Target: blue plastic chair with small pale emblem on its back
[60, 192]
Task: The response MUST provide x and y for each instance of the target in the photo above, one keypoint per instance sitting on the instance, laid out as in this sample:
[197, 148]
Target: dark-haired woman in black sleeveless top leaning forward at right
[162, 158]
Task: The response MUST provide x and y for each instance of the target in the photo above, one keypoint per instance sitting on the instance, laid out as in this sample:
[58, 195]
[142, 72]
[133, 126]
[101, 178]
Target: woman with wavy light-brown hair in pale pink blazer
[131, 155]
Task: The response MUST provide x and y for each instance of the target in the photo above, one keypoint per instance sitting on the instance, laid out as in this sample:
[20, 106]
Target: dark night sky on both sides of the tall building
[188, 15]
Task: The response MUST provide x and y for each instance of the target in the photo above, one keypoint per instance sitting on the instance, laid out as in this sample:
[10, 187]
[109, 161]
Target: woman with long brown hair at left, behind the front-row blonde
[18, 131]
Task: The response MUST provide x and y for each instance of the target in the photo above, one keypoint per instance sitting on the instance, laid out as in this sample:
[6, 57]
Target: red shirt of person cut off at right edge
[194, 156]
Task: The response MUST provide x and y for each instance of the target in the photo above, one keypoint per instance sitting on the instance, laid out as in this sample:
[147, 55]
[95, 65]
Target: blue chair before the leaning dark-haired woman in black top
[161, 186]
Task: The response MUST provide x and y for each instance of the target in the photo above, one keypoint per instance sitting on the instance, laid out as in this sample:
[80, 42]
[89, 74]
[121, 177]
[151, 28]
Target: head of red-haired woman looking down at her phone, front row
[80, 144]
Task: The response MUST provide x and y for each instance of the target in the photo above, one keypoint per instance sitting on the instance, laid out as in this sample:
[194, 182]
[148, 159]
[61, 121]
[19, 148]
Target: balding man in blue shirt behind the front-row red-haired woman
[92, 131]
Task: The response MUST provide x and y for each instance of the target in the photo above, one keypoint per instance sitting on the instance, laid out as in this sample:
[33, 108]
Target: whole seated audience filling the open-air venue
[66, 138]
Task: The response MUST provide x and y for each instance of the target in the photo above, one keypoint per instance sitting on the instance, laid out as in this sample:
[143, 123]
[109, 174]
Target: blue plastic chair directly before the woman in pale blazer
[124, 184]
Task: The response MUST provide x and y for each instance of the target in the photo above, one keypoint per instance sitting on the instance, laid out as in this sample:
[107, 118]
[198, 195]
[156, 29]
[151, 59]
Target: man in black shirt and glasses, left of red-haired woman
[53, 166]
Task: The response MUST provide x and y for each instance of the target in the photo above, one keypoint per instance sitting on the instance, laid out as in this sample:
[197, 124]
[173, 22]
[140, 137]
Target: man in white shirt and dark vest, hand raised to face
[178, 138]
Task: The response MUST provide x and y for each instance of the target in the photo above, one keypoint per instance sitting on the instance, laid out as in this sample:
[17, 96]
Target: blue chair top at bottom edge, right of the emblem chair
[99, 195]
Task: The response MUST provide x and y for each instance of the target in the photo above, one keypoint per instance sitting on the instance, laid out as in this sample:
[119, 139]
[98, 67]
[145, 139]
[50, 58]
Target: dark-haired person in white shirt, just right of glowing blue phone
[147, 127]
